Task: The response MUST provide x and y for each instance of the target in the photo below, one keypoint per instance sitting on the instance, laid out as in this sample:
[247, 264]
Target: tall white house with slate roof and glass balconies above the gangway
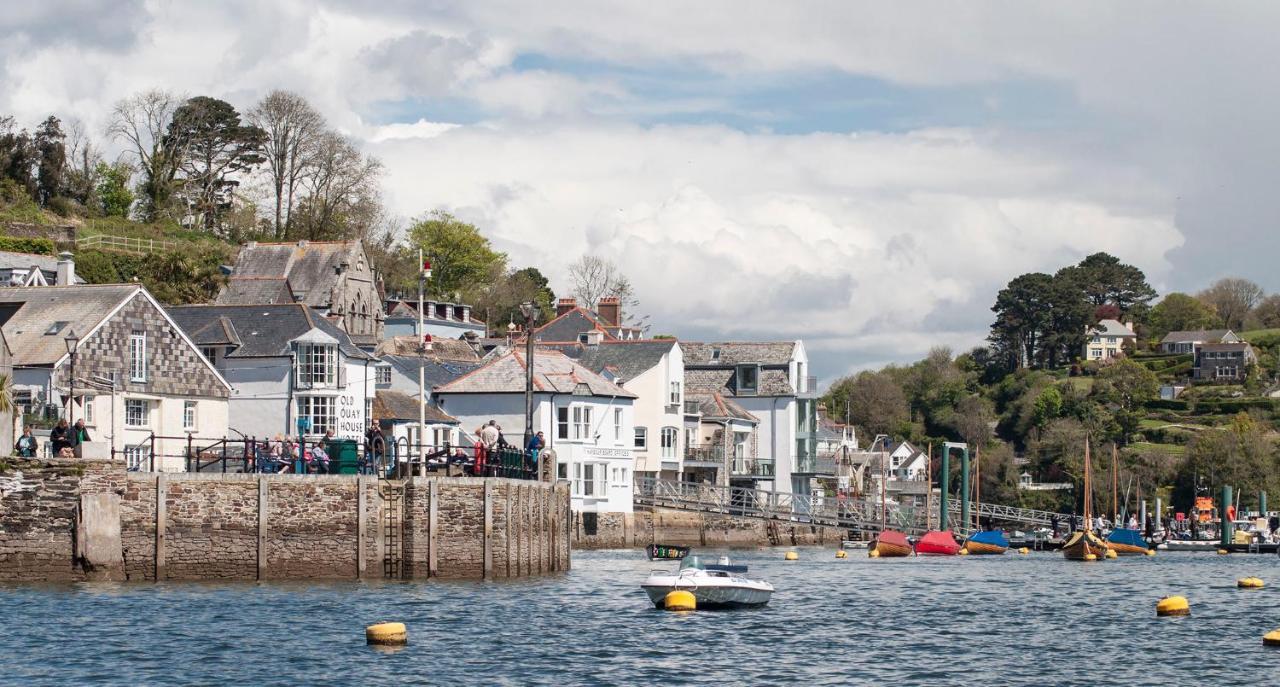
[770, 382]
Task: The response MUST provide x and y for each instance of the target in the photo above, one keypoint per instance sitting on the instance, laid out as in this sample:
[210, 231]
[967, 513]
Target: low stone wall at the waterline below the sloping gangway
[694, 529]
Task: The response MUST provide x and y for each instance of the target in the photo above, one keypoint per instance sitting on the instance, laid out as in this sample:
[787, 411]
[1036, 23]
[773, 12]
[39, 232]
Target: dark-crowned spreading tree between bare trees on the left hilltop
[217, 148]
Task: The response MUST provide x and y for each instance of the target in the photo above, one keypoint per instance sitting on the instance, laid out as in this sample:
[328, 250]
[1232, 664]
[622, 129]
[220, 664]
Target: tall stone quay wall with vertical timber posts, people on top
[68, 520]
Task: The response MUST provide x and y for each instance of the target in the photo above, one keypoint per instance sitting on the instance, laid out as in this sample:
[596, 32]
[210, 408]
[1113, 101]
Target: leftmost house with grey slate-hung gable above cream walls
[138, 374]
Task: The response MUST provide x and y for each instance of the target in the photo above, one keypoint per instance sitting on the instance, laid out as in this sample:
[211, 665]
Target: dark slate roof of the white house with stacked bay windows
[263, 331]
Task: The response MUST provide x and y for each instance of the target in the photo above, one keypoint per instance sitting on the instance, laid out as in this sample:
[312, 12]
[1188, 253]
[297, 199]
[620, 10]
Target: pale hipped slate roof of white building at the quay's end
[554, 373]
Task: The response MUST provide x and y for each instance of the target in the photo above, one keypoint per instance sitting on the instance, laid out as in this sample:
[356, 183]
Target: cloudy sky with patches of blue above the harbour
[861, 176]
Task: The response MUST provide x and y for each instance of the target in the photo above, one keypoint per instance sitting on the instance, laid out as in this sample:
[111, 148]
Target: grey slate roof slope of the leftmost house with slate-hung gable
[38, 319]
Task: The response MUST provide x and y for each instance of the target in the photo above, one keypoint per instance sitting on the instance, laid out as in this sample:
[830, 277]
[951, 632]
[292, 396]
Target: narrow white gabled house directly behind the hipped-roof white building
[655, 372]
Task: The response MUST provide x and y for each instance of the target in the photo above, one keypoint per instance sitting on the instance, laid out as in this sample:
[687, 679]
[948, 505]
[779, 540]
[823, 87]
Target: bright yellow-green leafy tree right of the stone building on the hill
[461, 258]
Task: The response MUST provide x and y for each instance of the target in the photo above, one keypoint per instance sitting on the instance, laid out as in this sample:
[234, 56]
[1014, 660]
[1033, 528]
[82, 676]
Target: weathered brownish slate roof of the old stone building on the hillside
[309, 267]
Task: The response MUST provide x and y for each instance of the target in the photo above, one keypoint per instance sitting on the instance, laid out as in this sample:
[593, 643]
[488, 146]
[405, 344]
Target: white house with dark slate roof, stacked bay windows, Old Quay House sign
[286, 364]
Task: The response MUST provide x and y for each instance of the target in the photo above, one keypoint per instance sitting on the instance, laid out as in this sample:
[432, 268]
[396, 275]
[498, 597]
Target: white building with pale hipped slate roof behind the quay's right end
[587, 420]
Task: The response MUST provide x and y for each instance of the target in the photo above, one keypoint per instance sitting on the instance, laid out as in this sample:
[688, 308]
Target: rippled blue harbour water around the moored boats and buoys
[1014, 620]
